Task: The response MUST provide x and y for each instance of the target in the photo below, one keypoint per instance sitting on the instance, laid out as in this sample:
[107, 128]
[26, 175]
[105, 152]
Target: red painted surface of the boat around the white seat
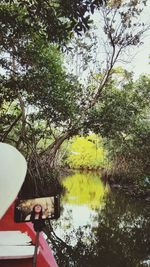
[45, 257]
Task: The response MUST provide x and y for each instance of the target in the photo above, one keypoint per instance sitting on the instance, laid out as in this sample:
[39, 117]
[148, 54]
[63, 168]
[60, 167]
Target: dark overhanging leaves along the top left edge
[57, 18]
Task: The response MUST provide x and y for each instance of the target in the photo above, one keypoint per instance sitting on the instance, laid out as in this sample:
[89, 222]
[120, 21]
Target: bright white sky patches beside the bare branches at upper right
[136, 61]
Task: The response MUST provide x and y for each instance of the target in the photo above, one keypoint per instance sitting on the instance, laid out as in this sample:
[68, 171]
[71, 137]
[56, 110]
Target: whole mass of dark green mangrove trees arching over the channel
[42, 104]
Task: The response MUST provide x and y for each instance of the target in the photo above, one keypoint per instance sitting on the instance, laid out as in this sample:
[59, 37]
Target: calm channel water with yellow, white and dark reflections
[100, 228]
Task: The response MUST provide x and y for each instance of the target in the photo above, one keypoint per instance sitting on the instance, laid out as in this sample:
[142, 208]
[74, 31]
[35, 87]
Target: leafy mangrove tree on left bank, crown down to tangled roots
[29, 107]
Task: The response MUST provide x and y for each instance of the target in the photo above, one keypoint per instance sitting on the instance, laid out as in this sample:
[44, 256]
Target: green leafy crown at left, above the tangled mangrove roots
[44, 89]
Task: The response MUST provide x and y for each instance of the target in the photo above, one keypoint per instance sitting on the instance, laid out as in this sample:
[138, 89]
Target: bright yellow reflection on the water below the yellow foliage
[85, 189]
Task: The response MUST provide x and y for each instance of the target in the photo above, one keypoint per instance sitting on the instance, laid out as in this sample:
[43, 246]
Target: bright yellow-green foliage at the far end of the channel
[86, 152]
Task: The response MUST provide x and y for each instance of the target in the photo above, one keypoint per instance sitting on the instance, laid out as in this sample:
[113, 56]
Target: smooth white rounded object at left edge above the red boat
[13, 169]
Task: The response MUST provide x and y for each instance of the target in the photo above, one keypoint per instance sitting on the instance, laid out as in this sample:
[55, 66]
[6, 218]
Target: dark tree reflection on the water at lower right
[120, 238]
